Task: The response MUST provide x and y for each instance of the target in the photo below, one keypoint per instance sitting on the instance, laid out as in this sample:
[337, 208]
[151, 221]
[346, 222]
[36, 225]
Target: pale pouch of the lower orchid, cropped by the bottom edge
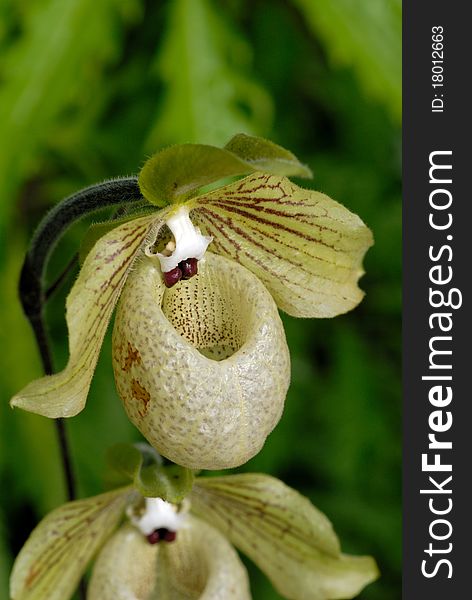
[200, 564]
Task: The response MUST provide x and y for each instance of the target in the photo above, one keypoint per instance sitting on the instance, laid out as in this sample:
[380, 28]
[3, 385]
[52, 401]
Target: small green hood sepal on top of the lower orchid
[143, 466]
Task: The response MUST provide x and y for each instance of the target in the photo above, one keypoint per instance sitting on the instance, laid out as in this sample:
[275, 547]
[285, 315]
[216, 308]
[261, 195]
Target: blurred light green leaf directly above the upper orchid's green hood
[210, 91]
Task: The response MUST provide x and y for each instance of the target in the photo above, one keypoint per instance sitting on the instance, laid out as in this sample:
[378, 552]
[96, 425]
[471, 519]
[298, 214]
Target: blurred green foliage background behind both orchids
[88, 90]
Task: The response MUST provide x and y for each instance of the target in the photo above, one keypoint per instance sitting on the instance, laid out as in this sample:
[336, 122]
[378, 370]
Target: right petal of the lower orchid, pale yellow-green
[284, 534]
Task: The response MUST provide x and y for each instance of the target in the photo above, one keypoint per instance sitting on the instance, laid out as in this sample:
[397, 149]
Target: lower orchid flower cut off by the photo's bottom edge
[150, 547]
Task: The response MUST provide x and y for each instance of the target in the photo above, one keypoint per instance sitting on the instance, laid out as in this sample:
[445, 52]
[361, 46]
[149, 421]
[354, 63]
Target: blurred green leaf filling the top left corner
[47, 76]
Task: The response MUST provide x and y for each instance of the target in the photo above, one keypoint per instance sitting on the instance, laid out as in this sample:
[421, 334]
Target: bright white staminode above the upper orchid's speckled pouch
[189, 242]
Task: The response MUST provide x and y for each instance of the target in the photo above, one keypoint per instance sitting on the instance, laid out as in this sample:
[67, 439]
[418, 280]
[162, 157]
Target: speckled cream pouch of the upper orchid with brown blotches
[203, 367]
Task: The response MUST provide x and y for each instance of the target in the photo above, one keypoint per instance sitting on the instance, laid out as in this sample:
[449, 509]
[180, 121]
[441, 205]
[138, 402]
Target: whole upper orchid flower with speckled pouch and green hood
[201, 361]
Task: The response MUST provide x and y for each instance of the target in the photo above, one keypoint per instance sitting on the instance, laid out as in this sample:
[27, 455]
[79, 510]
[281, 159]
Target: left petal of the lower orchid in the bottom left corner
[56, 554]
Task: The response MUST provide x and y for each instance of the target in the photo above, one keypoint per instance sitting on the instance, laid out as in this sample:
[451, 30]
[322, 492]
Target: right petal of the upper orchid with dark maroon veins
[305, 247]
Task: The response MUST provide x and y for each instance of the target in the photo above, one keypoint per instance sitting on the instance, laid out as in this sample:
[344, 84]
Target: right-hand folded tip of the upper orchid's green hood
[266, 156]
